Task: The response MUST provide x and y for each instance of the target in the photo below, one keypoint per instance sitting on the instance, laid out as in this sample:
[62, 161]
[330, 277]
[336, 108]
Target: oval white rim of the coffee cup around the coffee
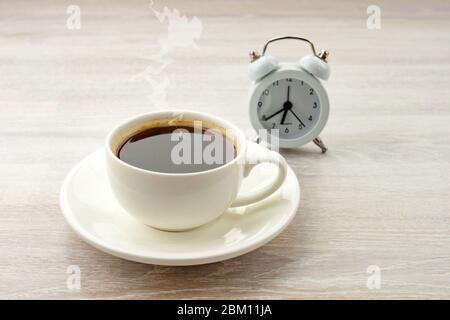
[241, 140]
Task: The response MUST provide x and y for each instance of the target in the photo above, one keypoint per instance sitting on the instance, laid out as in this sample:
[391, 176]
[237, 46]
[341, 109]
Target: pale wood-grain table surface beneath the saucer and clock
[380, 196]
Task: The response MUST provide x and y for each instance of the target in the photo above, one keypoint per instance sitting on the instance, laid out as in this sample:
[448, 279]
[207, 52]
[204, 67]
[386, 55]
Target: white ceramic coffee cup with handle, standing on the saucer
[181, 201]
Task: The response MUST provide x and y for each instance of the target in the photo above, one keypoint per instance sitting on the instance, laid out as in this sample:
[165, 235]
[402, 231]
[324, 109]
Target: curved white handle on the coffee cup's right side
[251, 161]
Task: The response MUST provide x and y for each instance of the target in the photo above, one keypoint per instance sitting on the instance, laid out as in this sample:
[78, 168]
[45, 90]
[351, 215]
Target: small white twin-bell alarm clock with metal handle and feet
[289, 96]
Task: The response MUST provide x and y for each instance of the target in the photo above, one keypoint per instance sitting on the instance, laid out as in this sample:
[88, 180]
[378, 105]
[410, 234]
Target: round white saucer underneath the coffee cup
[92, 211]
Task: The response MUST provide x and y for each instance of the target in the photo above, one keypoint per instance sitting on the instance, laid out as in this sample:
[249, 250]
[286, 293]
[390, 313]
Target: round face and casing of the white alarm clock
[292, 101]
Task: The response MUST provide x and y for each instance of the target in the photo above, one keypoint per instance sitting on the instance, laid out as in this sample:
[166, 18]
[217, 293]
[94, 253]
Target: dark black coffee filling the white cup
[177, 149]
